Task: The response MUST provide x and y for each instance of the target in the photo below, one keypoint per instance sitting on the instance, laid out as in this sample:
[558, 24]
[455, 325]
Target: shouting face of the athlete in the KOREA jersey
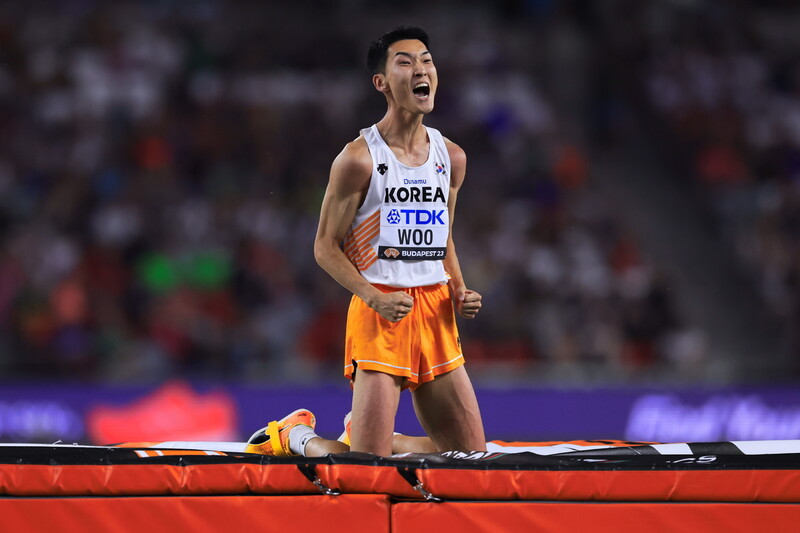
[410, 76]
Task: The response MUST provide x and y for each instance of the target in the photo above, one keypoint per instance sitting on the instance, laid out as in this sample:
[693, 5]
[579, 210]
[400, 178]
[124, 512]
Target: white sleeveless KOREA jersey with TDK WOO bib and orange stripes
[399, 235]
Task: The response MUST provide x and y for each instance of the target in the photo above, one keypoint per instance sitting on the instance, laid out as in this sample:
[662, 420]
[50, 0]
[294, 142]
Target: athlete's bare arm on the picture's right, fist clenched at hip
[468, 302]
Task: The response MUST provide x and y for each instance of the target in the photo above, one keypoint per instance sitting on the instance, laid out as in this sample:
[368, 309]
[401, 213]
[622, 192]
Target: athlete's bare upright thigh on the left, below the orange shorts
[375, 399]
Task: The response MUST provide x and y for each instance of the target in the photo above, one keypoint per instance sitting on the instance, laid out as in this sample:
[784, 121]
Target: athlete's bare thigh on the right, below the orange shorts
[448, 411]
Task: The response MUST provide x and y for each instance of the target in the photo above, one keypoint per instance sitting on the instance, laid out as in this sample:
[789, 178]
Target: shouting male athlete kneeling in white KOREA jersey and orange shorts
[385, 234]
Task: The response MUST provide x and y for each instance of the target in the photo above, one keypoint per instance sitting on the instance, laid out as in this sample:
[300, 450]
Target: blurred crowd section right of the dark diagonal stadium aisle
[724, 84]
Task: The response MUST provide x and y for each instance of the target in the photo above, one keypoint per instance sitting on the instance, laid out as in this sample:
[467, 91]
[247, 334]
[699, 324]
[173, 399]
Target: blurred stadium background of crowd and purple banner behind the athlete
[630, 213]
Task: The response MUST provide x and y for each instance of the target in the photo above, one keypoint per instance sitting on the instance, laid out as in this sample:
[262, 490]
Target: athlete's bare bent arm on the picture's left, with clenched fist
[349, 179]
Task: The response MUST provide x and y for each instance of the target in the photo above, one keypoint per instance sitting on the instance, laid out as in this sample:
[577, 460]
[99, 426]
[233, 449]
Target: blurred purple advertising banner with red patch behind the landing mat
[179, 410]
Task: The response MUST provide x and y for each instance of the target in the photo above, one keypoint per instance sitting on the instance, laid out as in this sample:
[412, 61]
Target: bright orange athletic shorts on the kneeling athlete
[421, 346]
